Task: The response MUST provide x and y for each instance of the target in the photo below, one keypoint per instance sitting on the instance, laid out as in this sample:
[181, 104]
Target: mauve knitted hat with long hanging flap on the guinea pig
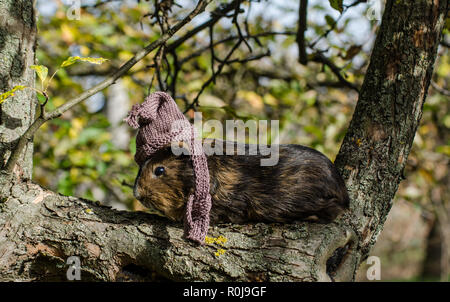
[160, 123]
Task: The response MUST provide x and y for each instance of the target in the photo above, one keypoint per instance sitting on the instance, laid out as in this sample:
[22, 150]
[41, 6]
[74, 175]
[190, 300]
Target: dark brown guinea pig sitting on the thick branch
[303, 185]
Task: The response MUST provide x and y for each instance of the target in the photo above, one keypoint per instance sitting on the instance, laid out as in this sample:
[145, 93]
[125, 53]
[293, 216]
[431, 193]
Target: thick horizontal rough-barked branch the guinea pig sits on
[47, 228]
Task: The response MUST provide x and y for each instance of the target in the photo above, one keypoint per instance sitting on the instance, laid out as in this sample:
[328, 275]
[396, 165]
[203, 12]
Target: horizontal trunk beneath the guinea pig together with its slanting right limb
[40, 229]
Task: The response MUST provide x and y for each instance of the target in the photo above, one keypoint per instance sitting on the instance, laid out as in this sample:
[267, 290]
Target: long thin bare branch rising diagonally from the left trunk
[28, 135]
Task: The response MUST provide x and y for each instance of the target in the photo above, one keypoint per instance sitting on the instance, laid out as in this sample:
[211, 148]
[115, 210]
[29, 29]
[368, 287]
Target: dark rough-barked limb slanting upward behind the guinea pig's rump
[374, 151]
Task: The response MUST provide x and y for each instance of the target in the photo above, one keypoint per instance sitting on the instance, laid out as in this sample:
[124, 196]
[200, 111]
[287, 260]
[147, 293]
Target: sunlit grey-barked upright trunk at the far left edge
[17, 51]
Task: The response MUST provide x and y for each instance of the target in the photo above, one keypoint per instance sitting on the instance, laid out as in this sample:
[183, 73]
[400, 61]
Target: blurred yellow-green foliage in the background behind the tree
[88, 152]
